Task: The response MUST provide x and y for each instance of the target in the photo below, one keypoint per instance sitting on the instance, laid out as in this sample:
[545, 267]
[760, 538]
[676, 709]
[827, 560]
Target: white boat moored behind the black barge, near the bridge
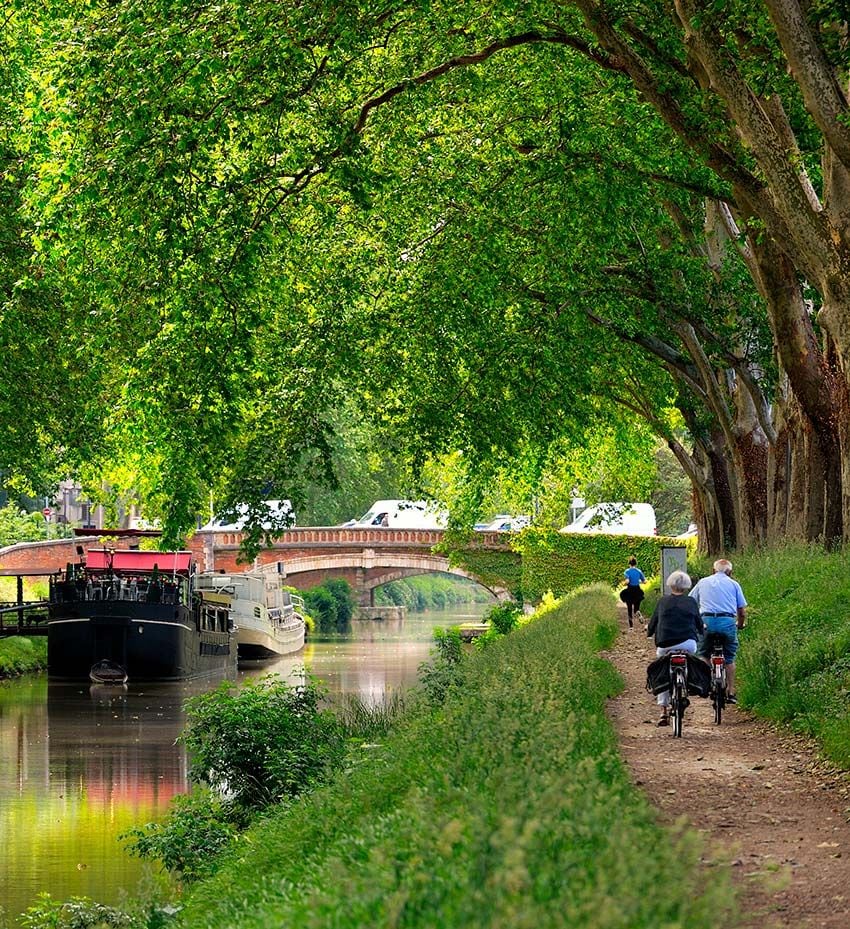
[267, 618]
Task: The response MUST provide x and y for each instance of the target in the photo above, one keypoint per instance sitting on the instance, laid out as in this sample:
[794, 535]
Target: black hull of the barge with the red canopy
[150, 641]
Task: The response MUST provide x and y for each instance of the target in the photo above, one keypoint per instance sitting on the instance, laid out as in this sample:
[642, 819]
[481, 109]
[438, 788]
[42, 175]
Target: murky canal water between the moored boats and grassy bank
[81, 765]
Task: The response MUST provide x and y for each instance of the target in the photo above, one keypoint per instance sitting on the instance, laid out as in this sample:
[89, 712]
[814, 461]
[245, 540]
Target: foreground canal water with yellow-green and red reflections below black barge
[79, 766]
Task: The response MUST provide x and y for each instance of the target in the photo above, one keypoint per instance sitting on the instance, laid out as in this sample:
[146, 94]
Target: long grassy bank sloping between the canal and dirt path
[507, 805]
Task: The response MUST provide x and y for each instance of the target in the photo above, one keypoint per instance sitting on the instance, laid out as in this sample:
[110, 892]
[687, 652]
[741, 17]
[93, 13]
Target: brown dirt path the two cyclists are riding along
[762, 799]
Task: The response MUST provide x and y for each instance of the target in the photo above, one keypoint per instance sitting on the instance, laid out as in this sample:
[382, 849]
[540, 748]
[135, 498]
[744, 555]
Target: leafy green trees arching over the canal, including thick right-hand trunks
[509, 231]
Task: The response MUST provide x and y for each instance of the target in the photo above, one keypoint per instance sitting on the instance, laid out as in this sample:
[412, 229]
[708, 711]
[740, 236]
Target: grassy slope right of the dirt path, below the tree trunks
[794, 663]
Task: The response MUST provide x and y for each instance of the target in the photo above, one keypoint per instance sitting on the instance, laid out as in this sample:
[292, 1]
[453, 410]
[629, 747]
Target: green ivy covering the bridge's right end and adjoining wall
[545, 559]
